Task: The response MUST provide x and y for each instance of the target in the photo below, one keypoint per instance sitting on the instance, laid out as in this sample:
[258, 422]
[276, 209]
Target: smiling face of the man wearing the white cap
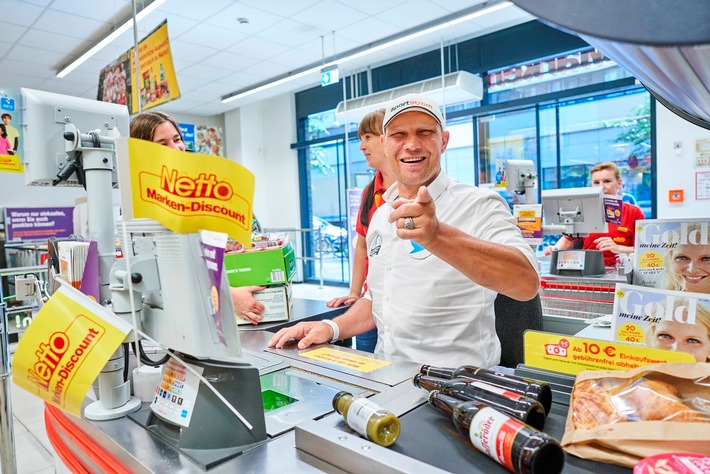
[414, 142]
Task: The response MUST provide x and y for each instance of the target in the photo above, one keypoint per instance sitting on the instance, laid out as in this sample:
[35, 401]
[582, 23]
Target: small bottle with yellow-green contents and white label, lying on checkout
[367, 418]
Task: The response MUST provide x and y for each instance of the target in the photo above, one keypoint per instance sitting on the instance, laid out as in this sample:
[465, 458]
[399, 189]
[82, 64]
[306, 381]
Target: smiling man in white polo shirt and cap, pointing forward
[439, 251]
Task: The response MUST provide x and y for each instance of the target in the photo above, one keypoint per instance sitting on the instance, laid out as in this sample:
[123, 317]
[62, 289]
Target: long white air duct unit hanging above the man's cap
[456, 88]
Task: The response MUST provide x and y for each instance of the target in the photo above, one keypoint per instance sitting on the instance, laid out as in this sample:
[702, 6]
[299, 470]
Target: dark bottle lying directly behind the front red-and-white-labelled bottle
[523, 408]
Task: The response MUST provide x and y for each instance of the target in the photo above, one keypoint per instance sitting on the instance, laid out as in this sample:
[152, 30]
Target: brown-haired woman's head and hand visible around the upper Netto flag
[161, 128]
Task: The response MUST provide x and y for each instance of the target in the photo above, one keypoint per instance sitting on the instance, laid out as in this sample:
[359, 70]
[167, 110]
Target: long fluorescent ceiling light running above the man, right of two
[377, 46]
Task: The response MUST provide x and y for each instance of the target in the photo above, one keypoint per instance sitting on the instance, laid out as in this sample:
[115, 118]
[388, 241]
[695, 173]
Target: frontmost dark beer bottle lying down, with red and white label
[515, 445]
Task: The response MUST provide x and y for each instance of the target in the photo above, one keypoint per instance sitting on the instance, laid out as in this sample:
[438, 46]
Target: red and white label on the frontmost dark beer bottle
[493, 433]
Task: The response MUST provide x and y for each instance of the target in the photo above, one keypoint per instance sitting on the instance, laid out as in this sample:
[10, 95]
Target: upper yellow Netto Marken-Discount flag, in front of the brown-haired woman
[183, 191]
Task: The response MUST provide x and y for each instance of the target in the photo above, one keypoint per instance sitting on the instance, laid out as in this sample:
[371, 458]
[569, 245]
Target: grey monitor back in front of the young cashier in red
[579, 210]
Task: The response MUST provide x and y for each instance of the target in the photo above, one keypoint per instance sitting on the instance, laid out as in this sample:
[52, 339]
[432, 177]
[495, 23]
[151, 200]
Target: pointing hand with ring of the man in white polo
[423, 212]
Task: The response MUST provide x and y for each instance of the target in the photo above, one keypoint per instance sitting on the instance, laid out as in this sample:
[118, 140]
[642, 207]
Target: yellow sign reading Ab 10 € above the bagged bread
[571, 355]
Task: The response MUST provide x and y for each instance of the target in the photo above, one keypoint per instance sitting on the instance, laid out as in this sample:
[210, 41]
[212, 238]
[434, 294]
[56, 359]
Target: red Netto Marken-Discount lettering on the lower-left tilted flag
[51, 360]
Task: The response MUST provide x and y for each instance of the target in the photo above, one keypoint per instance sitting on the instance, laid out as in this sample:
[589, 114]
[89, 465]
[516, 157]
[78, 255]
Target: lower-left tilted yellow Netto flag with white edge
[62, 352]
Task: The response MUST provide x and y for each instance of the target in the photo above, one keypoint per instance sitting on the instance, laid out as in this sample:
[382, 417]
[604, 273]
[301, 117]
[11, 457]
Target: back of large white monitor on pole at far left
[44, 119]
